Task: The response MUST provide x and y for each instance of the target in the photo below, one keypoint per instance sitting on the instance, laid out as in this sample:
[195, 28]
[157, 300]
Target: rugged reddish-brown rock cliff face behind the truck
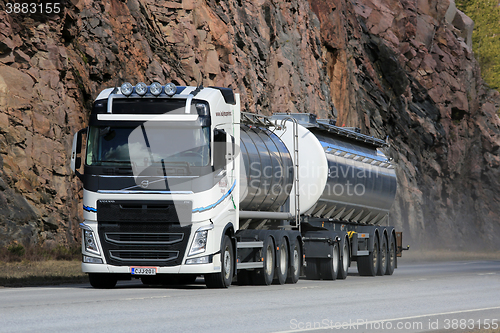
[401, 69]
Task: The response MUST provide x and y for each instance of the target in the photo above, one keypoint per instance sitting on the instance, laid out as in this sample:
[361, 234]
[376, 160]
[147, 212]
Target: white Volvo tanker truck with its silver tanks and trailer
[179, 183]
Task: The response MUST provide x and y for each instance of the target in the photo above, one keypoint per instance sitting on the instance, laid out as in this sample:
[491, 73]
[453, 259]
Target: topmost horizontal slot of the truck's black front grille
[144, 238]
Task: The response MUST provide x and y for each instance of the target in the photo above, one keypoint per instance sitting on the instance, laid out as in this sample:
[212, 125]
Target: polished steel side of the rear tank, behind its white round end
[361, 184]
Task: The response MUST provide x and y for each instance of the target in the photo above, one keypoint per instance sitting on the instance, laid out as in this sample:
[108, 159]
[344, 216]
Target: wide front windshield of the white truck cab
[147, 145]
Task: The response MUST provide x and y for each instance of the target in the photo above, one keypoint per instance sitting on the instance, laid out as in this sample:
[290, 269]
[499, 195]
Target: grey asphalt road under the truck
[418, 297]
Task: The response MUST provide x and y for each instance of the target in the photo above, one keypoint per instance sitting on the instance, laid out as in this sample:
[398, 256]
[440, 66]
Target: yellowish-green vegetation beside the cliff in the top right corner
[485, 37]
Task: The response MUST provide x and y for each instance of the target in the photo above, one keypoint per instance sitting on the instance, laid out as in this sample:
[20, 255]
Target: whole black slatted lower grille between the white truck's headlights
[143, 243]
